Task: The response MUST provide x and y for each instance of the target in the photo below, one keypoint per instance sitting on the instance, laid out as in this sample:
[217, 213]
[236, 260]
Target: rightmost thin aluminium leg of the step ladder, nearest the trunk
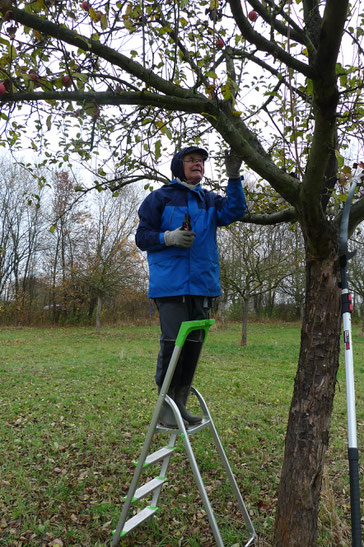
[227, 467]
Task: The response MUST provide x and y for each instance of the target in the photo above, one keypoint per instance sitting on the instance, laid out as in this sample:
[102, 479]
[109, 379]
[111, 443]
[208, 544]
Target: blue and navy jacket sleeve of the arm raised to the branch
[232, 207]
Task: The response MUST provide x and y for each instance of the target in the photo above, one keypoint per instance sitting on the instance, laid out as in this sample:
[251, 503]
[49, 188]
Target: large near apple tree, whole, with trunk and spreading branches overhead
[273, 82]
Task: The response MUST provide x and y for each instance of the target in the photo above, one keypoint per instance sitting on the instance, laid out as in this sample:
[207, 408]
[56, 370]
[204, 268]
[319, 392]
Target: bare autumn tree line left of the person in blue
[67, 258]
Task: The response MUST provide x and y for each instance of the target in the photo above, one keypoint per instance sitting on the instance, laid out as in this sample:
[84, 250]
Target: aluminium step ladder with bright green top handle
[164, 454]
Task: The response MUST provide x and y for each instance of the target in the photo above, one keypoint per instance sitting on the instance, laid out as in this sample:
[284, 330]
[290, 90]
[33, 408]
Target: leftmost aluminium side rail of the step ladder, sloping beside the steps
[148, 439]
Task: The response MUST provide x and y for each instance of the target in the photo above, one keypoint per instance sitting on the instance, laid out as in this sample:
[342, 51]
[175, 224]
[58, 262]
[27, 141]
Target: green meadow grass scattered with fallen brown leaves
[75, 407]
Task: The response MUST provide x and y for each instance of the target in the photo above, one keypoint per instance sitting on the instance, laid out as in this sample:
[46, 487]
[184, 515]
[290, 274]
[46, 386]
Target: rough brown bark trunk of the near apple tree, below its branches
[311, 407]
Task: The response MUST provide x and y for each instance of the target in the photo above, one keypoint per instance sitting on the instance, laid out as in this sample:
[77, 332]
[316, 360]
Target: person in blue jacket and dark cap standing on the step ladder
[177, 227]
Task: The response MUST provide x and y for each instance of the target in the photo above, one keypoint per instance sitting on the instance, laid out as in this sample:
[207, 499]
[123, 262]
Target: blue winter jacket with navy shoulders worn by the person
[177, 271]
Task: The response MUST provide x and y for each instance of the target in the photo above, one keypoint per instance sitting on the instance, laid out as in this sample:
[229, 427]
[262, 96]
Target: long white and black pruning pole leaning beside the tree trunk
[347, 308]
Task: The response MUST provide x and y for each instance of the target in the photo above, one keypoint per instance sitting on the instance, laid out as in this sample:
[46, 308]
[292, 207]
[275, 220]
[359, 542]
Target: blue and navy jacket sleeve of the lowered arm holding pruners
[148, 235]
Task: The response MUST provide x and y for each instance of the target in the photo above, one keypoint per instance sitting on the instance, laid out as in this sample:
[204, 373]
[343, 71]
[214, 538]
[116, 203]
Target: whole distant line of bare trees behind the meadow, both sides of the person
[70, 259]
